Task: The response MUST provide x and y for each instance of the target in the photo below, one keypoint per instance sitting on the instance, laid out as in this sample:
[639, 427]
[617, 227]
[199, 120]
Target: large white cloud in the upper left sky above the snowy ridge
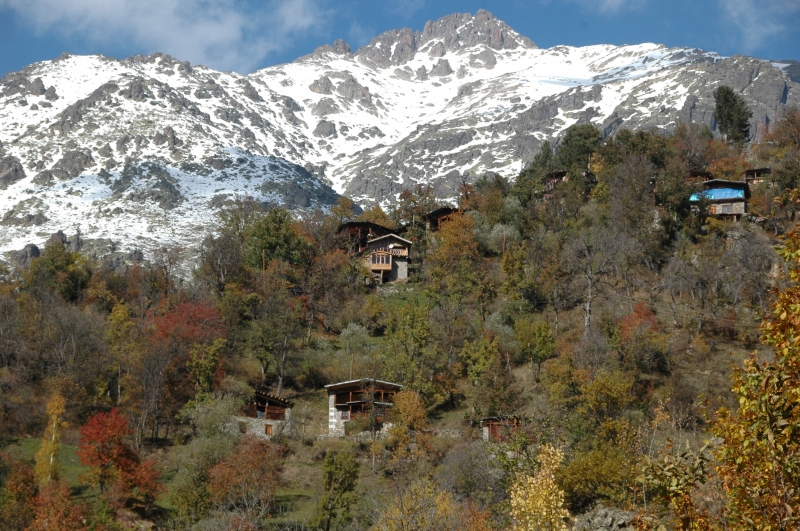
[223, 34]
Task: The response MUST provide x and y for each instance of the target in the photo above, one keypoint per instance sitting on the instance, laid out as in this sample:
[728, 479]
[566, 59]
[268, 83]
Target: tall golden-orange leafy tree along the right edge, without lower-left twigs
[759, 461]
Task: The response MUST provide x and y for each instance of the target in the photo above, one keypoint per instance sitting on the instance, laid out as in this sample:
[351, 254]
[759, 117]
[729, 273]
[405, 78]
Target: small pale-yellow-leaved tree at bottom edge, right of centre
[537, 503]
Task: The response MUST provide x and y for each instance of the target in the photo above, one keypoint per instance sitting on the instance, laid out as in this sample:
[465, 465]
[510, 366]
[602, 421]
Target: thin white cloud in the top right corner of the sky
[759, 21]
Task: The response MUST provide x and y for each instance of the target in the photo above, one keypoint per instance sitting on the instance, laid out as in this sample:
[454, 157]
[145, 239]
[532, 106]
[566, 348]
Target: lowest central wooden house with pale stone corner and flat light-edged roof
[349, 400]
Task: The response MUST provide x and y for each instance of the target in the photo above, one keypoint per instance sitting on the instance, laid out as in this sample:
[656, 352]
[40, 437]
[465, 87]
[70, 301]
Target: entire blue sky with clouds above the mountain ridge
[244, 35]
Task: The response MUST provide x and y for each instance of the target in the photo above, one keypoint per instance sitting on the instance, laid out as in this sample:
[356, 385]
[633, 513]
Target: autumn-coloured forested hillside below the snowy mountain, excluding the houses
[636, 352]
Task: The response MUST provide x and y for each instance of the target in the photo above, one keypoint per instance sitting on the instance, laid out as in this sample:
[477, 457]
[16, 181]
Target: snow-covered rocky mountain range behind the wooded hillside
[141, 152]
